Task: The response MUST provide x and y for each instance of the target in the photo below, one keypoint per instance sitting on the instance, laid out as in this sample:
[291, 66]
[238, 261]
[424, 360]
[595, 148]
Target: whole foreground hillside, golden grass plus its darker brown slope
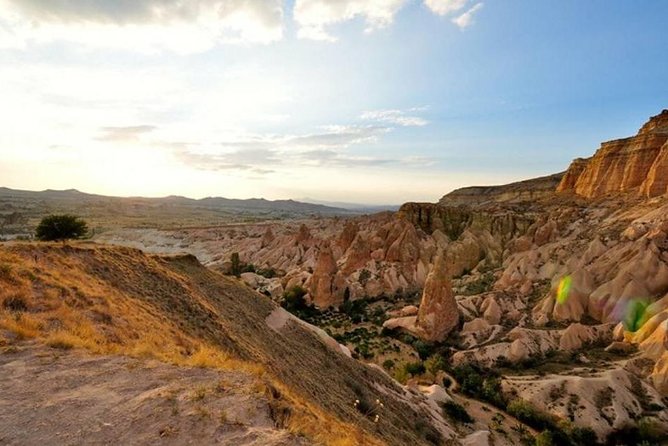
[121, 301]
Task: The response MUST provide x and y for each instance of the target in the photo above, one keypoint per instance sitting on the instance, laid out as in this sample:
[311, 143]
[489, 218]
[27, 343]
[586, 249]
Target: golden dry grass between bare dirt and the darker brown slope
[63, 299]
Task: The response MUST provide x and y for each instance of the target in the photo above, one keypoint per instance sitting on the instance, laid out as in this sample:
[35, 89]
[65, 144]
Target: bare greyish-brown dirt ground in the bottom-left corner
[56, 397]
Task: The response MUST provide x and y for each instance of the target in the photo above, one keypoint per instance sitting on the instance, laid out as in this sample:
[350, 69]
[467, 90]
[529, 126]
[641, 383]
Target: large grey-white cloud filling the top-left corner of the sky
[145, 25]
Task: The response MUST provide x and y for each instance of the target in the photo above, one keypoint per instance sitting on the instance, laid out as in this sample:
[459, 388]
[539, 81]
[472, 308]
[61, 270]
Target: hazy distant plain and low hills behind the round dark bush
[20, 210]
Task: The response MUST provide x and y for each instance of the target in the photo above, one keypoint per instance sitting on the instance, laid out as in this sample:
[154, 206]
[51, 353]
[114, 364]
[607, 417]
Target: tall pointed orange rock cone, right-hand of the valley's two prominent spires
[438, 314]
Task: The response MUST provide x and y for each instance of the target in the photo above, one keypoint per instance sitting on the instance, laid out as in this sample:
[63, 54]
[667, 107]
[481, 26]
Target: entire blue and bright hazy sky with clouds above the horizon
[364, 101]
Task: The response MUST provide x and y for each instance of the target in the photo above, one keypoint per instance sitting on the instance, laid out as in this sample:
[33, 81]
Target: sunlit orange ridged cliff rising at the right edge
[638, 164]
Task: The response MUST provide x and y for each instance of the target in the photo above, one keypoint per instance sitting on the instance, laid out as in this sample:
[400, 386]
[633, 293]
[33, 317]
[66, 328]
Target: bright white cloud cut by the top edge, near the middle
[315, 16]
